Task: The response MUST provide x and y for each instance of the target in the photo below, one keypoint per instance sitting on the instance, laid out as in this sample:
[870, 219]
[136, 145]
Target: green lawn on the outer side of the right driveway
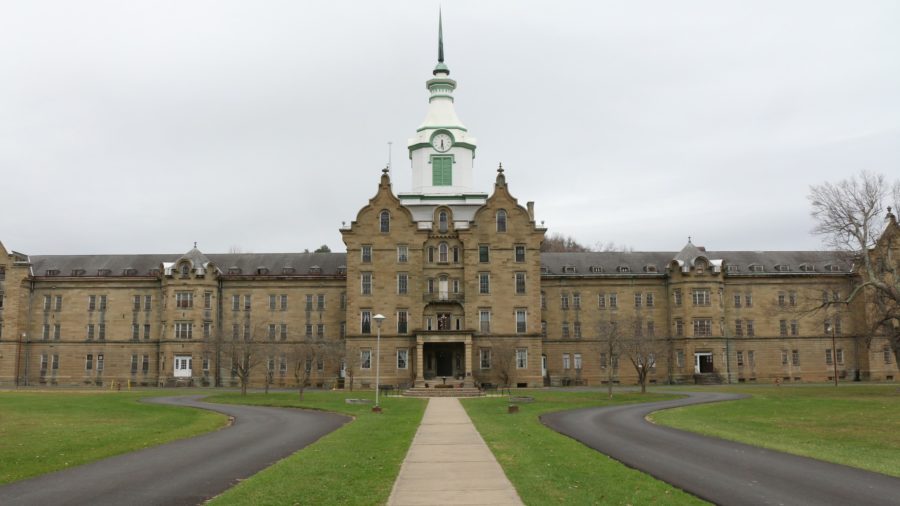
[854, 425]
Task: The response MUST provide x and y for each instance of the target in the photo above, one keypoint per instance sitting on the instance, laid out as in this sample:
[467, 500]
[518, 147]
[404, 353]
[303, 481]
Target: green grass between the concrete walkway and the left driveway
[356, 464]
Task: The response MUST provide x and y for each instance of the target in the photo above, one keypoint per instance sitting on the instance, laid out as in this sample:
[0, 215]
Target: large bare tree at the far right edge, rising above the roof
[849, 215]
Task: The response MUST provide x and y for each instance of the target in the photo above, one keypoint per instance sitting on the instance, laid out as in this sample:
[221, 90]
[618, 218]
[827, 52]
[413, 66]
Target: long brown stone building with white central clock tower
[467, 297]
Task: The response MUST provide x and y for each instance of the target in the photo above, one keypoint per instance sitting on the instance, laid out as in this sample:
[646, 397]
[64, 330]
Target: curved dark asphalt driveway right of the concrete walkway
[719, 471]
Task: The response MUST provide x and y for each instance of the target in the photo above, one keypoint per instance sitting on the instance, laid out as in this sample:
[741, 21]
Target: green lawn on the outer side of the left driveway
[42, 432]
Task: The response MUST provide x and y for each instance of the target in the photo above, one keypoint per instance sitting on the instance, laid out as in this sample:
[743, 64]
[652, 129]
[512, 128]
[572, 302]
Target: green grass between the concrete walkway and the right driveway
[549, 468]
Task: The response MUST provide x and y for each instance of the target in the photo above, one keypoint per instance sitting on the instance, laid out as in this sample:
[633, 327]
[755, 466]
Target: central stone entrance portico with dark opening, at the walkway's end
[444, 357]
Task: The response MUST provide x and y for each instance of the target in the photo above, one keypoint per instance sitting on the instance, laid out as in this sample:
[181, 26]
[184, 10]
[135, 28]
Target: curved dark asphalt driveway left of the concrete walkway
[187, 471]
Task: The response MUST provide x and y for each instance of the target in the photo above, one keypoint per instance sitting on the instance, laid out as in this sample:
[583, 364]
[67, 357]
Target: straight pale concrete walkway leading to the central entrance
[449, 463]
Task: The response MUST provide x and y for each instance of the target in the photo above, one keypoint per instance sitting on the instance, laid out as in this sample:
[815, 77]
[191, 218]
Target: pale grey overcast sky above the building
[141, 127]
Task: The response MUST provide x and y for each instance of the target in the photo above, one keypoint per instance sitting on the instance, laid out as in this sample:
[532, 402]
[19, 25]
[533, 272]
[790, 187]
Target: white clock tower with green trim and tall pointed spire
[442, 152]
